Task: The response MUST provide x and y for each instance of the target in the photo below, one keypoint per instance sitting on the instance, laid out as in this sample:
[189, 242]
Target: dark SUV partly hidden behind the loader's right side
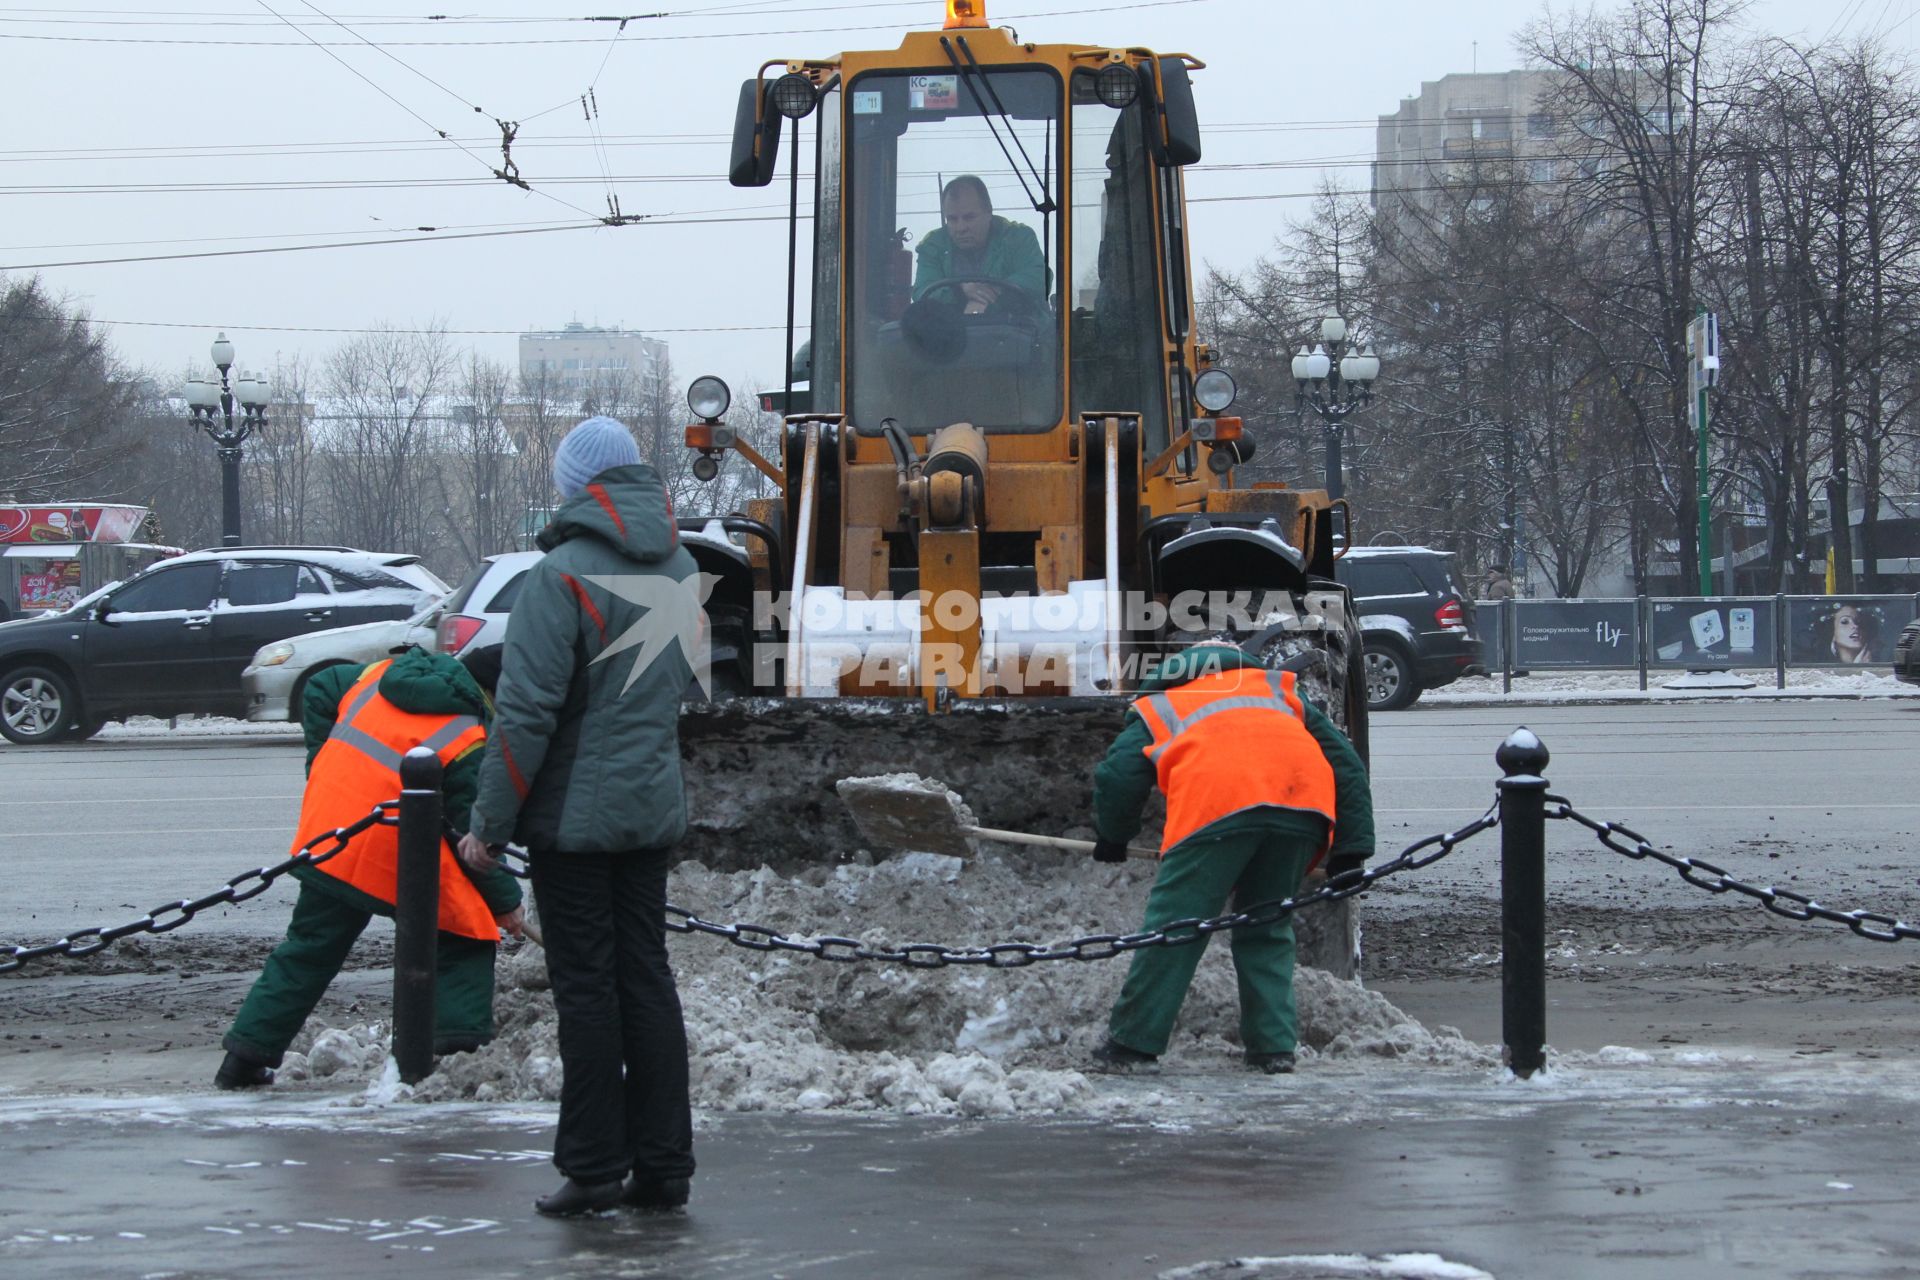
[1416, 623]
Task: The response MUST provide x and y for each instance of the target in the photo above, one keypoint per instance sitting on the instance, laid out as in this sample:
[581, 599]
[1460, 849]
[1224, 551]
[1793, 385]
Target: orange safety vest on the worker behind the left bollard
[358, 769]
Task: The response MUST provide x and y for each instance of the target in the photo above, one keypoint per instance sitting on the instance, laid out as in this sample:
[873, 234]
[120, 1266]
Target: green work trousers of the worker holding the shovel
[1195, 882]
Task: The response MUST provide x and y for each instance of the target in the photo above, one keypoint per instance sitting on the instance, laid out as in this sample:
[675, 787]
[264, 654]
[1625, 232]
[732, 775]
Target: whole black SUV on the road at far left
[172, 642]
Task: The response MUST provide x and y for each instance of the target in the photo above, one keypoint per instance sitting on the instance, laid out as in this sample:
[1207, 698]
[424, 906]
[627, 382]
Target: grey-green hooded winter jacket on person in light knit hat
[585, 751]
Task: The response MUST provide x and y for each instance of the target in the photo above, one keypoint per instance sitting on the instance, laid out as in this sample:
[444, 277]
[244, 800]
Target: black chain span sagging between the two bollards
[1093, 947]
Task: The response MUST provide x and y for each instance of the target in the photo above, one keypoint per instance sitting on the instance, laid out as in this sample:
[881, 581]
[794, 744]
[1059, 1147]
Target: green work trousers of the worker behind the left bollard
[318, 941]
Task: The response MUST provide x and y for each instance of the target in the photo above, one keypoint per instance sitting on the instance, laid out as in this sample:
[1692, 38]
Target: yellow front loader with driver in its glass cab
[1007, 473]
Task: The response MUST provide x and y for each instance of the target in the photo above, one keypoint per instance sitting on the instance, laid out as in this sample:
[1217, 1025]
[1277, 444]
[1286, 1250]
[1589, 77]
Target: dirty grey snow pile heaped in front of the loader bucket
[788, 1033]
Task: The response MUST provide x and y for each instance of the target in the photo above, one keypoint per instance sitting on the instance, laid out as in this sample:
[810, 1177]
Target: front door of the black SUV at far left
[151, 644]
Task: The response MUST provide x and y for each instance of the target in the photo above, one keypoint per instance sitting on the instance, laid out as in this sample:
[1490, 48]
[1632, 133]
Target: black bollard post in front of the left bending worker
[418, 914]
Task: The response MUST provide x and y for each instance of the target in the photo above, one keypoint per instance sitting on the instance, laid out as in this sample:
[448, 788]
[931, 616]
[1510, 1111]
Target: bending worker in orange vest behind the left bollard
[360, 723]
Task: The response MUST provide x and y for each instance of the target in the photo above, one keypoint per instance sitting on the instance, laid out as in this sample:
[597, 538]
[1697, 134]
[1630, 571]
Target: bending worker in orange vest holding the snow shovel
[1260, 790]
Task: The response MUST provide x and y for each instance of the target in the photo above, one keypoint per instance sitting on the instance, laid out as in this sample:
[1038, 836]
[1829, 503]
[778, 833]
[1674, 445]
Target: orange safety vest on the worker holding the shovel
[1232, 742]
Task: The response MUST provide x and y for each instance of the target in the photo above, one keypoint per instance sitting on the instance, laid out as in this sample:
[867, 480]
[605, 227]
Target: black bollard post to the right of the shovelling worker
[1524, 901]
